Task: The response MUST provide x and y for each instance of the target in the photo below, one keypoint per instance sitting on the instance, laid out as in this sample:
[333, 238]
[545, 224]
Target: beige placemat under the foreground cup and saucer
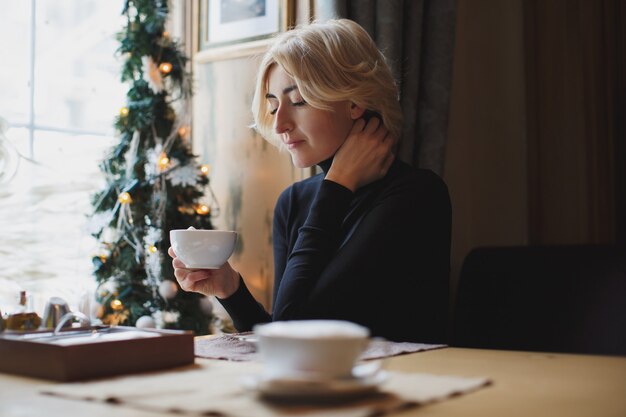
[215, 388]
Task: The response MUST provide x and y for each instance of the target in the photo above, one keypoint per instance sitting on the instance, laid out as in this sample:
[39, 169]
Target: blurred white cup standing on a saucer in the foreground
[322, 349]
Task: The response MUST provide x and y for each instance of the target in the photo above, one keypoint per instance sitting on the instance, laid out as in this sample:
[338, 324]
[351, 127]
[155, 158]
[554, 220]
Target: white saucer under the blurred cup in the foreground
[295, 388]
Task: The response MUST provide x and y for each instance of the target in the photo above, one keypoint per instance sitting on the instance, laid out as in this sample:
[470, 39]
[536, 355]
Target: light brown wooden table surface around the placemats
[524, 384]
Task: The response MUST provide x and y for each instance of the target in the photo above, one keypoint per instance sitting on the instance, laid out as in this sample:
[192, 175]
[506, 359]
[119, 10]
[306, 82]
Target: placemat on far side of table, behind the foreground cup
[238, 347]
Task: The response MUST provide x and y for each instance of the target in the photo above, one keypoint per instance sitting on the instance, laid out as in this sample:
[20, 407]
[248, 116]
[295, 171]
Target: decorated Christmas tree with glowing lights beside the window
[153, 183]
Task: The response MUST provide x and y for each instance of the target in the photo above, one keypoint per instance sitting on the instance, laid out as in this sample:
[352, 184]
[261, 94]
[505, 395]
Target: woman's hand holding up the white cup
[222, 282]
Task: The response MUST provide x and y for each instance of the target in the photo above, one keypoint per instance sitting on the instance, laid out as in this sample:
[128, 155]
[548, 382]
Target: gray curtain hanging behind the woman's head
[417, 37]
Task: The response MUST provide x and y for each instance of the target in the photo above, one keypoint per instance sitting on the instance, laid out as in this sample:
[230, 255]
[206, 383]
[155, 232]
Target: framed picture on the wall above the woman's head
[231, 22]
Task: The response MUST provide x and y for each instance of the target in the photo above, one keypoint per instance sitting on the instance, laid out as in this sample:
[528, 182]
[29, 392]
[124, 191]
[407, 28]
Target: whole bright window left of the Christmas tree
[60, 93]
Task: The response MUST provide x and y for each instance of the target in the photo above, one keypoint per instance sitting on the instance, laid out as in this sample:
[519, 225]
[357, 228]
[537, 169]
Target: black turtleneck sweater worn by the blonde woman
[379, 257]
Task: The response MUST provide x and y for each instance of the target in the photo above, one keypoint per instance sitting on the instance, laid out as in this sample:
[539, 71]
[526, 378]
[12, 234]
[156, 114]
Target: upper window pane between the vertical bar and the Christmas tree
[76, 71]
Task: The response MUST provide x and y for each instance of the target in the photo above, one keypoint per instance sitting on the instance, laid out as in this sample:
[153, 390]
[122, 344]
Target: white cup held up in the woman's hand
[206, 249]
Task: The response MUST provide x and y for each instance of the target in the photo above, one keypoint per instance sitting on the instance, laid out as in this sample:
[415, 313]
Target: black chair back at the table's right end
[568, 299]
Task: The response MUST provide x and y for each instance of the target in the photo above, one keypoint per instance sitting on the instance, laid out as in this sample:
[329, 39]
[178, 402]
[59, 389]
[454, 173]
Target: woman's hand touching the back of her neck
[364, 157]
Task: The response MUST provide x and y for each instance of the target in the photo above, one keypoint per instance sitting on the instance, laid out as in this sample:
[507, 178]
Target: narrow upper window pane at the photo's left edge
[14, 70]
